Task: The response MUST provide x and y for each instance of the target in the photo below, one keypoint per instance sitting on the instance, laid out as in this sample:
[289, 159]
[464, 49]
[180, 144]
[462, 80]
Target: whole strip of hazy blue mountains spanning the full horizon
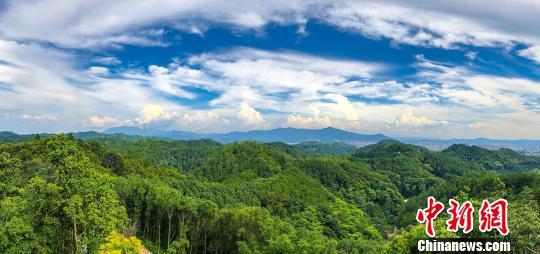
[295, 136]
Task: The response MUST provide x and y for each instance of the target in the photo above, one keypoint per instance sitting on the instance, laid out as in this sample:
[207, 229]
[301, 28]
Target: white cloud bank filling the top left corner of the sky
[104, 23]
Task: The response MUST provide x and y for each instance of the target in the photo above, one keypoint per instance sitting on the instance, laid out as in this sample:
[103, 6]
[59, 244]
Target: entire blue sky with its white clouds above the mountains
[446, 69]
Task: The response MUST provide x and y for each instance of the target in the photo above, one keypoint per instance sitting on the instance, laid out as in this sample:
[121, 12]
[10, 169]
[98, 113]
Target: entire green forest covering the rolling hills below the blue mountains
[61, 194]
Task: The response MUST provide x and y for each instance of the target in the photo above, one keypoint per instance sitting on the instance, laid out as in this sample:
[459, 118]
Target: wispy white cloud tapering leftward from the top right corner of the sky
[442, 24]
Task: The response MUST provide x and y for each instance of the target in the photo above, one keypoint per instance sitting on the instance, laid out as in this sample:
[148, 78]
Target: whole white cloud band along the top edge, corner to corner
[445, 24]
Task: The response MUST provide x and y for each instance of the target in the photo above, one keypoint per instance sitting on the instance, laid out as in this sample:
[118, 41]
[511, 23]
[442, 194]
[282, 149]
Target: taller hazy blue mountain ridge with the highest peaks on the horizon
[287, 135]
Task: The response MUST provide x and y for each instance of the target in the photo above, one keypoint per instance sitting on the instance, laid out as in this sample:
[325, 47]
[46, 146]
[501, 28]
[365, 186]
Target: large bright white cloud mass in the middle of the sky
[278, 81]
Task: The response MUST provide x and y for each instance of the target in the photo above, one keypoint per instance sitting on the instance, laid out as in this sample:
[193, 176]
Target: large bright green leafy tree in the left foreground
[65, 198]
